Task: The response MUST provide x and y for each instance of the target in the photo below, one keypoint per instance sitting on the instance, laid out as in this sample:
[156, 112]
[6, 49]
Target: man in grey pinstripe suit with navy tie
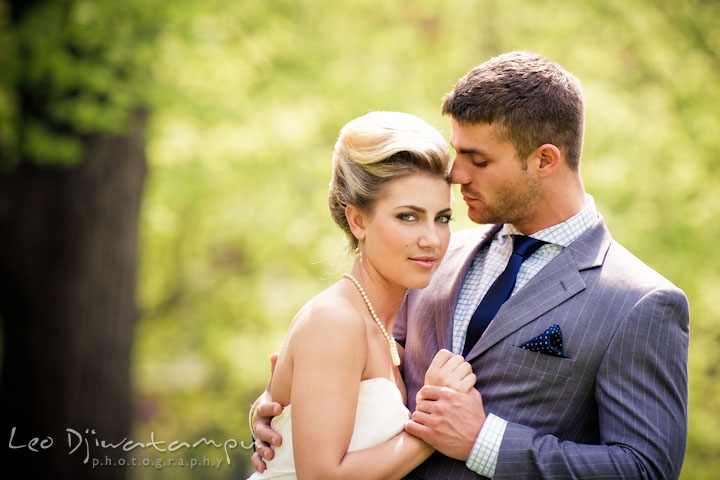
[580, 349]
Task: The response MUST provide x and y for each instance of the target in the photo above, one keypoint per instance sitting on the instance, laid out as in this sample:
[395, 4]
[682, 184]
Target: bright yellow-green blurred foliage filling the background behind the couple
[247, 100]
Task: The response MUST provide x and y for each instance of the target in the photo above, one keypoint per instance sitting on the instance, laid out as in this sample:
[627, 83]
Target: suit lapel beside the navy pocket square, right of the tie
[555, 283]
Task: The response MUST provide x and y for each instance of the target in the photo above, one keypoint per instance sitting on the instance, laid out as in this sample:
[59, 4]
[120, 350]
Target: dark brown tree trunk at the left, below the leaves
[68, 248]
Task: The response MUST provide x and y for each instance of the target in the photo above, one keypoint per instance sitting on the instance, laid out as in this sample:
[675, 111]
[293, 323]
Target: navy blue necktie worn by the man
[500, 290]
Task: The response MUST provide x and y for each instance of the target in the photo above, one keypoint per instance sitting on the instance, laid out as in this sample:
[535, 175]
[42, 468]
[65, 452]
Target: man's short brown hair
[532, 99]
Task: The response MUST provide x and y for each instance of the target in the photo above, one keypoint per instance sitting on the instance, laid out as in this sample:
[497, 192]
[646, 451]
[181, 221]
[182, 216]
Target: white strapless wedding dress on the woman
[380, 416]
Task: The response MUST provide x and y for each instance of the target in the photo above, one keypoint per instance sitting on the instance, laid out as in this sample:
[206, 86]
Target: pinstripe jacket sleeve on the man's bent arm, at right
[641, 391]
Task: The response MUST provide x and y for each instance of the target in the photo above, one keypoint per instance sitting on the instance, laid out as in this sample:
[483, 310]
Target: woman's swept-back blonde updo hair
[375, 149]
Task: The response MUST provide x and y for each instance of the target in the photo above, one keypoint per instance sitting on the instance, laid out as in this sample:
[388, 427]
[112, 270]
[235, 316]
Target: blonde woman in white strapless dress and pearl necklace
[338, 374]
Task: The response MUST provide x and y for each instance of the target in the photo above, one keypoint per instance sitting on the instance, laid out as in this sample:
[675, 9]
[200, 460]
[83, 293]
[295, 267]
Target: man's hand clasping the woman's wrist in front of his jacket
[448, 420]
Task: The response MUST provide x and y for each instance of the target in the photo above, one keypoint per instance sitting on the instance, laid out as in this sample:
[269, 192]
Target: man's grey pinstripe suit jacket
[617, 407]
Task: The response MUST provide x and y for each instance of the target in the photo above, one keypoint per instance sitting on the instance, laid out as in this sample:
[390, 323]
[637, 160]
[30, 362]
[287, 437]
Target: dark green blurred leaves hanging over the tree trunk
[73, 67]
